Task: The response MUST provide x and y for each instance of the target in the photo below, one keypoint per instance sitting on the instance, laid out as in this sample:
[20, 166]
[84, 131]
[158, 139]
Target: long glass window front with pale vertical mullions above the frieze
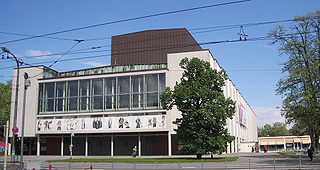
[102, 94]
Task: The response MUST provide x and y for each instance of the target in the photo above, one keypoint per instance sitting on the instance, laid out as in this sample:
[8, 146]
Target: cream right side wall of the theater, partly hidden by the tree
[243, 132]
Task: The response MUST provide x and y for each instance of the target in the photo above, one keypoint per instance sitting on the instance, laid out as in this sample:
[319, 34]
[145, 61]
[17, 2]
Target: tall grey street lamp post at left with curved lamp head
[5, 50]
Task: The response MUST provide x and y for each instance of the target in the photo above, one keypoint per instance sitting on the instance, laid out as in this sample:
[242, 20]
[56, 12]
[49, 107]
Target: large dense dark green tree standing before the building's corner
[204, 109]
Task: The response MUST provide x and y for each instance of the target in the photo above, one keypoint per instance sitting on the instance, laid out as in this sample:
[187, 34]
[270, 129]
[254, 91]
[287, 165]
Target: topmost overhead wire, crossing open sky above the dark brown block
[127, 20]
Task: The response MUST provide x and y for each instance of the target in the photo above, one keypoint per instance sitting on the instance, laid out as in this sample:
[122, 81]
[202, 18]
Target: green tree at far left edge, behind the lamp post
[5, 100]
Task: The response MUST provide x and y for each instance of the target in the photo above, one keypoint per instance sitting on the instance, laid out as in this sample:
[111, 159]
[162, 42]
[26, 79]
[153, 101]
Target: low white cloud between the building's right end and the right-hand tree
[268, 115]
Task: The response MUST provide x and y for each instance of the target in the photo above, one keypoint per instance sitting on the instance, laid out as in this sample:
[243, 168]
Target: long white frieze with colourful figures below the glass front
[102, 123]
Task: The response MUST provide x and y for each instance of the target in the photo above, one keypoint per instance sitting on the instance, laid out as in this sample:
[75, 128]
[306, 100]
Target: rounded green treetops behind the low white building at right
[278, 129]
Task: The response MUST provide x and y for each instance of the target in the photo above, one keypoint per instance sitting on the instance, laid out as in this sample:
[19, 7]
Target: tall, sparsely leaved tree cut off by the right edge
[300, 86]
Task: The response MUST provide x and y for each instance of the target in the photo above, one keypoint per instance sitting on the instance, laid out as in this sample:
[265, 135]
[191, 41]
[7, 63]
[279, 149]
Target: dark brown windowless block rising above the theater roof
[150, 47]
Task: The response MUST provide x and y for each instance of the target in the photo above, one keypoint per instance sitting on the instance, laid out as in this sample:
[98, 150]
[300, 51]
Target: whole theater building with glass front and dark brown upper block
[109, 110]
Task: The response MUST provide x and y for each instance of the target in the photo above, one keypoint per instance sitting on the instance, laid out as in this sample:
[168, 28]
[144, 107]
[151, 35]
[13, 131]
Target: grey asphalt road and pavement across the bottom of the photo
[246, 161]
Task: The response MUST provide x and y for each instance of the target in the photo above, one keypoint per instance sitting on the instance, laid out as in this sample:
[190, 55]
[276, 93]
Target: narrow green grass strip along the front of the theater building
[146, 160]
